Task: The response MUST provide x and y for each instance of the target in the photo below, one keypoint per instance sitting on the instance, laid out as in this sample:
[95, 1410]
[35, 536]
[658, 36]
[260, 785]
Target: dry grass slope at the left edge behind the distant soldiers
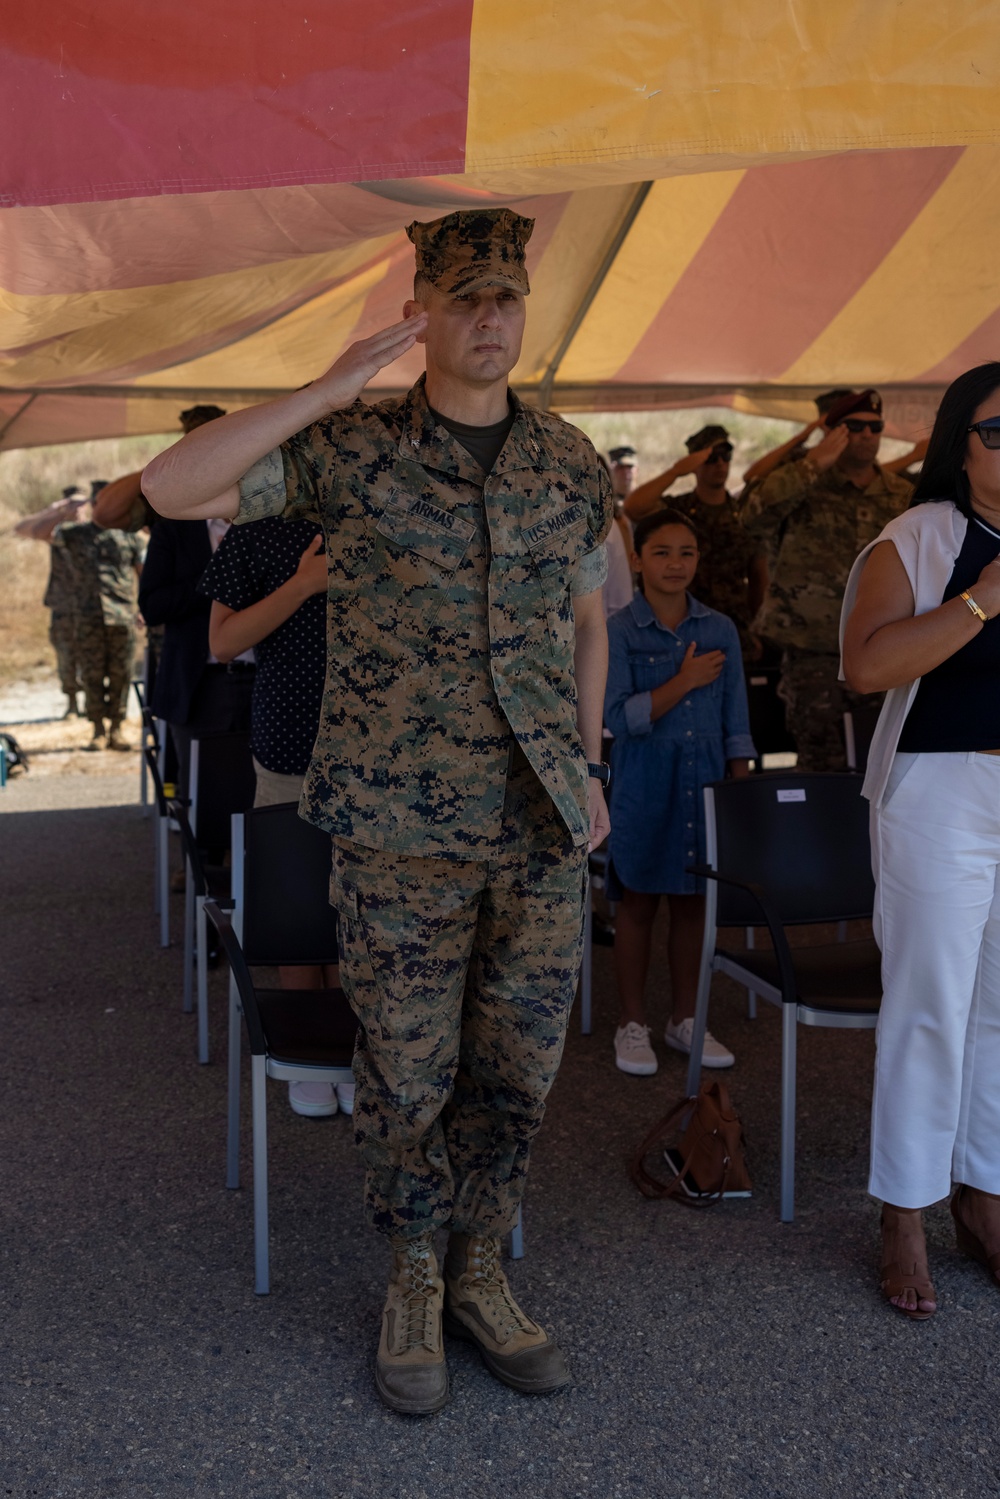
[31, 479]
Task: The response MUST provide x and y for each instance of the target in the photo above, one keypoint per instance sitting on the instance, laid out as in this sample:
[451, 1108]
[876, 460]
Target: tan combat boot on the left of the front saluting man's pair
[410, 1371]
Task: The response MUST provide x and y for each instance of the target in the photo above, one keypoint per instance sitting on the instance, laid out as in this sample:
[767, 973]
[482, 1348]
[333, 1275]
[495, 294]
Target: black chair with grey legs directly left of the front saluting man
[283, 918]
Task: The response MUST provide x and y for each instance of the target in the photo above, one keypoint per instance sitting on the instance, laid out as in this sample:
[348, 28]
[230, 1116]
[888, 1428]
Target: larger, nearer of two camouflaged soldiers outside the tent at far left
[106, 566]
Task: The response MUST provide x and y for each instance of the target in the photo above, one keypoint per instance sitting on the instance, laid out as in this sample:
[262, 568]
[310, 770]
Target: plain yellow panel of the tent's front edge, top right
[566, 83]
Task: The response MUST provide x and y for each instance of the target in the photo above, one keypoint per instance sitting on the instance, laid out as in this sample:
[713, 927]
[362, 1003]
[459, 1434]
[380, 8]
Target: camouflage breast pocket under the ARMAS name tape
[416, 552]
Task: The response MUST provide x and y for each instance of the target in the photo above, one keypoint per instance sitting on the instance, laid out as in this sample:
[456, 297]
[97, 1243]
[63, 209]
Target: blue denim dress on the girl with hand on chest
[659, 768]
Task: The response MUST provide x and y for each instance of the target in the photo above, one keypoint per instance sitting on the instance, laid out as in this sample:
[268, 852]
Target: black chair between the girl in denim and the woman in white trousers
[788, 851]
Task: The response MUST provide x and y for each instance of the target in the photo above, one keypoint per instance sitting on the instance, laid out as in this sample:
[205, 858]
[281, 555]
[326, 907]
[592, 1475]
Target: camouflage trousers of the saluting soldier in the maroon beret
[816, 702]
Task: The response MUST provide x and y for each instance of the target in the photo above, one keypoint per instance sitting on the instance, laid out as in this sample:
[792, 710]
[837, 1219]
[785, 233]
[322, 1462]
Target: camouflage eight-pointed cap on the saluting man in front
[472, 250]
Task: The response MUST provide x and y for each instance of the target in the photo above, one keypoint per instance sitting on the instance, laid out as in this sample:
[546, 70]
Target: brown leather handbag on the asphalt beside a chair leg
[704, 1152]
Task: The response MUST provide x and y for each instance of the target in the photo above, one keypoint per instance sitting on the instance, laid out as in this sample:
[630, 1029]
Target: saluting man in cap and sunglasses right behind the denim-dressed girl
[732, 566]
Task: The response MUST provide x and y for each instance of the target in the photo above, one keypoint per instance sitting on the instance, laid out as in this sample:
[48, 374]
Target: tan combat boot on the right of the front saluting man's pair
[481, 1308]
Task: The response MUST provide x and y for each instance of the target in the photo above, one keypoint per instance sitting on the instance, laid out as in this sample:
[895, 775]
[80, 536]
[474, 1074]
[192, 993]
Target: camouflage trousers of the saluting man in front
[463, 975]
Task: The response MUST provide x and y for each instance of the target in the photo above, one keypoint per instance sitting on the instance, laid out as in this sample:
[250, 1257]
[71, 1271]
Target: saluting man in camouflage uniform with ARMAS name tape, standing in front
[455, 764]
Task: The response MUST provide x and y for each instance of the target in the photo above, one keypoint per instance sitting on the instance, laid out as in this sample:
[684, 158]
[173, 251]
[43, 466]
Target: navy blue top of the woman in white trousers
[957, 705]
